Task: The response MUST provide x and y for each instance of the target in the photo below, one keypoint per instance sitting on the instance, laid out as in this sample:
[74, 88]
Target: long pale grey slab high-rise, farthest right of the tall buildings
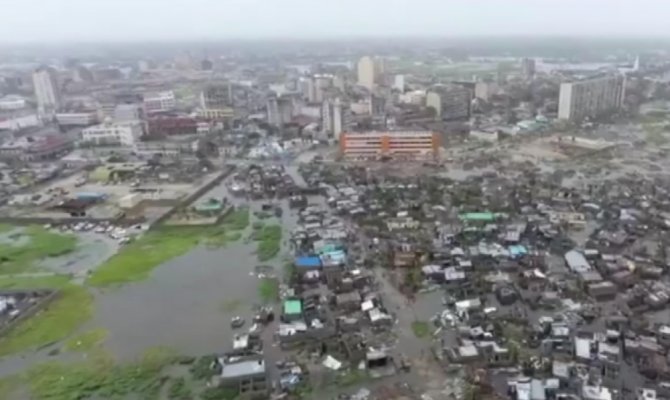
[591, 98]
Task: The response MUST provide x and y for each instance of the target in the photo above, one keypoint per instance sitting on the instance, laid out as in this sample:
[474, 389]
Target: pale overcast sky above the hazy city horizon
[141, 20]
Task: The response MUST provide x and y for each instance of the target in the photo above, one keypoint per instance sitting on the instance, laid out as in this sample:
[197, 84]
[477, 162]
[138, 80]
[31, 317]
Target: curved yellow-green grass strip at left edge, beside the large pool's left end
[59, 319]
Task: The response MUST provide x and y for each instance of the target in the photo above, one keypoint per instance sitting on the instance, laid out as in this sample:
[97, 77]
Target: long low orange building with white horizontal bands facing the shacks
[394, 144]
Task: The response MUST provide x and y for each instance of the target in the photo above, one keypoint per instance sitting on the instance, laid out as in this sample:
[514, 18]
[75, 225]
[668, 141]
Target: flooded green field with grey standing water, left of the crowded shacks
[174, 287]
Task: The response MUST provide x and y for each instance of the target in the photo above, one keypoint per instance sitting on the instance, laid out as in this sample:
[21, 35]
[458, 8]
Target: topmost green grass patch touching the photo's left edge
[39, 244]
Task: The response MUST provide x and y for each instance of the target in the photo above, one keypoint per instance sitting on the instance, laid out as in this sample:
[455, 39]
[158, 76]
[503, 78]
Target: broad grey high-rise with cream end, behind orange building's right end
[451, 102]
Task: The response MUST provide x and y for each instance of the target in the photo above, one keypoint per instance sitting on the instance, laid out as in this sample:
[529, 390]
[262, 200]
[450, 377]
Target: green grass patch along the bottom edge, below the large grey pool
[100, 377]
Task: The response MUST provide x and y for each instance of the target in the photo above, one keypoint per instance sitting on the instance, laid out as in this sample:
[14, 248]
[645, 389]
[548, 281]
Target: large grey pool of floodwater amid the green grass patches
[188, 302]
